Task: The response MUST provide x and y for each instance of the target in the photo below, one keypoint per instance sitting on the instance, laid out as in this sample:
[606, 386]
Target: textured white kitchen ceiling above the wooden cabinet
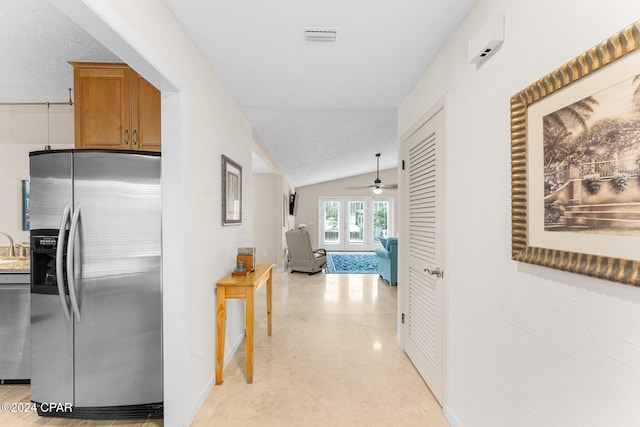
[36, 42]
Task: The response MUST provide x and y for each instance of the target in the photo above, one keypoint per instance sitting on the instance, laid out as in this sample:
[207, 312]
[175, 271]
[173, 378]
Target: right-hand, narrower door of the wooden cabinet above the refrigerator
[145, 117]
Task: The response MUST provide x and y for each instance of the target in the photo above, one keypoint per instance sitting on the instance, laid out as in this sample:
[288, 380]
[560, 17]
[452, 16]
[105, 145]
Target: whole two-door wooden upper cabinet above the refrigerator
[115, 108]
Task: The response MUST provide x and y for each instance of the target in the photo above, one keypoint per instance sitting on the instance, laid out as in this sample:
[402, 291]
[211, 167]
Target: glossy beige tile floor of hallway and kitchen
[333, 360]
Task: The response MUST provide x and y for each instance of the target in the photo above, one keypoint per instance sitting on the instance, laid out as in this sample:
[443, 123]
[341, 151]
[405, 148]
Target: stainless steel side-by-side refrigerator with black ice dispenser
[96, 293]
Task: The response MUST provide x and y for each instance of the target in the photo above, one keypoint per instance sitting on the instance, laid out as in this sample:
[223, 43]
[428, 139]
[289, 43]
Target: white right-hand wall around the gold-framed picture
[529, 346]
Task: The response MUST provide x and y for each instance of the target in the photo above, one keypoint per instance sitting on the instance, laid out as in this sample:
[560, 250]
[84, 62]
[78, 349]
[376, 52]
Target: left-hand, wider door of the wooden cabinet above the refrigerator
[102, 108]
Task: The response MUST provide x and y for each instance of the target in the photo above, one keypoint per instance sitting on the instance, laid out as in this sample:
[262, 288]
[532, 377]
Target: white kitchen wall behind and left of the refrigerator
[24, 129]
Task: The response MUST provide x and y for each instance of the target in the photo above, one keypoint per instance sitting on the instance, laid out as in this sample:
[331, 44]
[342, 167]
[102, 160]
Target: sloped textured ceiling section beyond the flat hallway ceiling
[323, 144]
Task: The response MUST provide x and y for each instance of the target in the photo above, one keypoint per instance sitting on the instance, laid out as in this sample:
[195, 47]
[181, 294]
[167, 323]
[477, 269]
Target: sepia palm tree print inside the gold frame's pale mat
[591, 158]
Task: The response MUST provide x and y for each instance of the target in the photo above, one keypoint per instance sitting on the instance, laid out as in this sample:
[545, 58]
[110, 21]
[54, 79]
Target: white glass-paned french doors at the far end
[354, 223]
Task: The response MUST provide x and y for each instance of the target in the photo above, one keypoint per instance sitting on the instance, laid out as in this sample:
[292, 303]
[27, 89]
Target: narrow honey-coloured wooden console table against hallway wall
[243, 287]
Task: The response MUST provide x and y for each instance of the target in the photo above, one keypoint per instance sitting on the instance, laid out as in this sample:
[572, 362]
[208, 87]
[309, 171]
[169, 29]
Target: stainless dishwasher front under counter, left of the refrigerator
[15, 357]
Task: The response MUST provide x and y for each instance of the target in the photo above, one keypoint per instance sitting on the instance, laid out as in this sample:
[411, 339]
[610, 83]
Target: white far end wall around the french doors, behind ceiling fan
[307, 197]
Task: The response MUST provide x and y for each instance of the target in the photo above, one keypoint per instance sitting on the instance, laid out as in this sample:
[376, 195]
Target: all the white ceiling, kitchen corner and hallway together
[322, 110]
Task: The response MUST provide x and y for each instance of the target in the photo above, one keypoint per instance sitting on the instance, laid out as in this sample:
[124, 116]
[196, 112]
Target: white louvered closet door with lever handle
[424, 299]
